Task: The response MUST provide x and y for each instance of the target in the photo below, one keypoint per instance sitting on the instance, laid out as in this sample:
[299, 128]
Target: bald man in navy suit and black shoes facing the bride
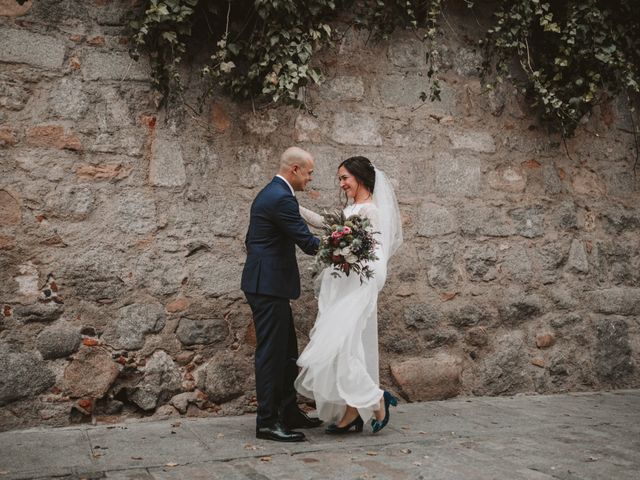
[269, 280]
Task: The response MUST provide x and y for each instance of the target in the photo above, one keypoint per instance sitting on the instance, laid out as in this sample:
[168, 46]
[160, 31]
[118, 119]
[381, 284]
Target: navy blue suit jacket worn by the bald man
[275, 228]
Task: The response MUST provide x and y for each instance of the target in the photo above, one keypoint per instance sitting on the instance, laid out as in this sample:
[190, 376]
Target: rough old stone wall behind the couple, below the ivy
[122, 226]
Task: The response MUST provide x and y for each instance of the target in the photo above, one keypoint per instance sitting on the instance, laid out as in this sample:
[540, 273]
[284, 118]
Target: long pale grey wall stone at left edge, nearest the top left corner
[23, 46]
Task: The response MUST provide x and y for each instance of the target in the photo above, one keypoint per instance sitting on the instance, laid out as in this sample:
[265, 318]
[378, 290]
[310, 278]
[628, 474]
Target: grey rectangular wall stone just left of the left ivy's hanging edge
[114, 66]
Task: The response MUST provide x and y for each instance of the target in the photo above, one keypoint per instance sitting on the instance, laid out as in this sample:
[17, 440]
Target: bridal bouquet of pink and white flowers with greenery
[346, 245]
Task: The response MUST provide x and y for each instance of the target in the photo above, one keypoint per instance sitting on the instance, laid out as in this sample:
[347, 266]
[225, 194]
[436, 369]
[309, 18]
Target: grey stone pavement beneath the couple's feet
[570, 437]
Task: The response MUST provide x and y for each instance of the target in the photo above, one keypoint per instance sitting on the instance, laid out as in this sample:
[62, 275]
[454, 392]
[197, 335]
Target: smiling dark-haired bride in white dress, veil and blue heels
[340, 363]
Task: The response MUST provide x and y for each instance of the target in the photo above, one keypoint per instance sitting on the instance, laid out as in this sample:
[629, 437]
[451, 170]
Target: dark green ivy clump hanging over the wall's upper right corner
[573, 54]
